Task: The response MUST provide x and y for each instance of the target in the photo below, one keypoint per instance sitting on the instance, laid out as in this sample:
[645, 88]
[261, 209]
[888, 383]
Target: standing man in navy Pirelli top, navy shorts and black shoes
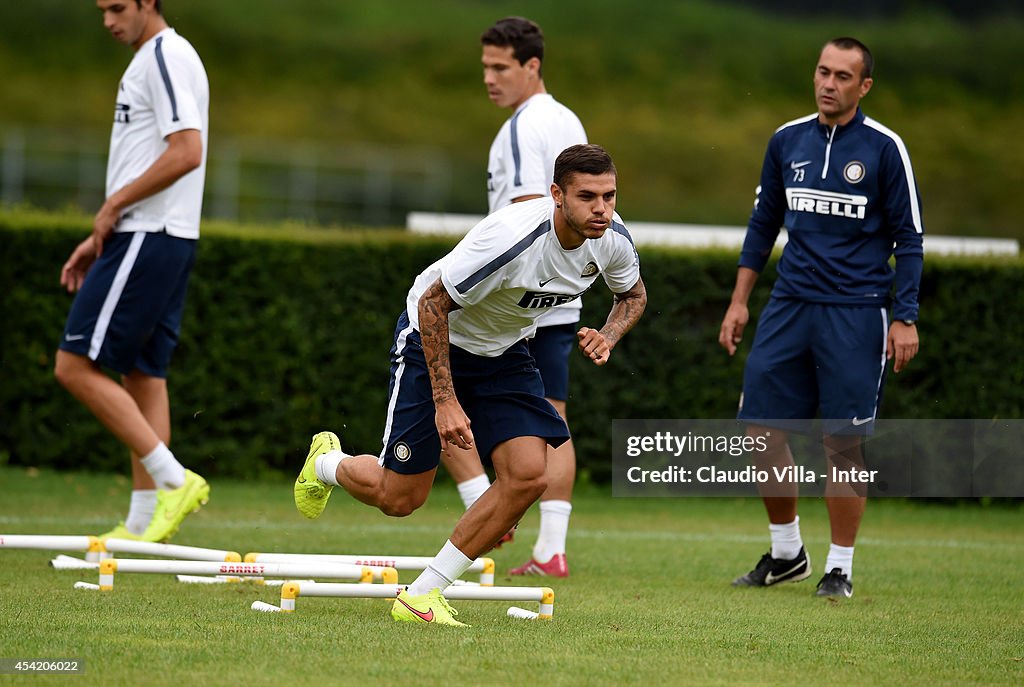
[843, 186]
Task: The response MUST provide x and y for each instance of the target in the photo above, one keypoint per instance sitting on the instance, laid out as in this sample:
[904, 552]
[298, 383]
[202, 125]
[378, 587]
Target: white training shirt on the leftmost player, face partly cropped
[164, 91]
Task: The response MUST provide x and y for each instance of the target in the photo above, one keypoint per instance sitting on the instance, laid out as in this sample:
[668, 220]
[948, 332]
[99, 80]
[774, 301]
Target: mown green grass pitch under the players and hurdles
[938, 598]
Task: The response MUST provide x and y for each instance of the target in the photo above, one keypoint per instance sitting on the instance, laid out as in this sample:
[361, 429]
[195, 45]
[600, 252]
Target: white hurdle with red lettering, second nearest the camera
[364, 574]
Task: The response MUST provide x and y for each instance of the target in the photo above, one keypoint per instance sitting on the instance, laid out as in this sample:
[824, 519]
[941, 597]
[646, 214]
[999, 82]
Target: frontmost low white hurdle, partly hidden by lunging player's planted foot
[291, 591]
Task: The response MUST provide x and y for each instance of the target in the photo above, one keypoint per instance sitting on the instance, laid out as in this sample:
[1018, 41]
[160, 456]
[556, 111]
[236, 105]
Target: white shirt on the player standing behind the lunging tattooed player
[523, 163]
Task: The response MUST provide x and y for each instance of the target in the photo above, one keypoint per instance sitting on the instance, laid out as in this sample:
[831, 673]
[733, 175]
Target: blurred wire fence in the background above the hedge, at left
[247, 180]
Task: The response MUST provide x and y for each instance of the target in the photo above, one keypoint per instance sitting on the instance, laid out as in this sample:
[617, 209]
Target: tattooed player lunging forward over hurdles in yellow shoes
[462, 374]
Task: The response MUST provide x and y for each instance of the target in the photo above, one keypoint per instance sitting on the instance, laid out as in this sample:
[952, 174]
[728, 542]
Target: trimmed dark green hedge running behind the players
[288, 329]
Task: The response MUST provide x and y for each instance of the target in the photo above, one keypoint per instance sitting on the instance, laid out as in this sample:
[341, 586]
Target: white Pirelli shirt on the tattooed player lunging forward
[511, 269]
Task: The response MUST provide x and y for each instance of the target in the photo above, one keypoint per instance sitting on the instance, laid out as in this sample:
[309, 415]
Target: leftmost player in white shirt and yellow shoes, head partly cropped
[133, 273]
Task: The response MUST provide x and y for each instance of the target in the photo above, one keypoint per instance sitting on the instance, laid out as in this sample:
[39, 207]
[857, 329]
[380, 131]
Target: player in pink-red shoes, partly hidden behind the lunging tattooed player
[520, 168]
